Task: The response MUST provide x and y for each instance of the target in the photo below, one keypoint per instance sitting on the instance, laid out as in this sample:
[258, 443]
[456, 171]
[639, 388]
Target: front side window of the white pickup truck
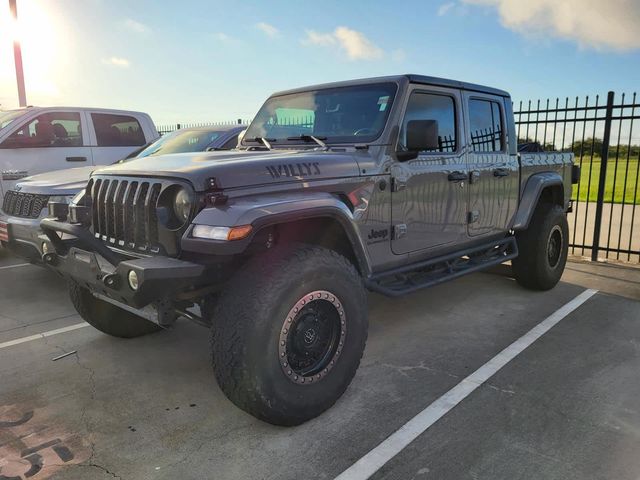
[55, 129]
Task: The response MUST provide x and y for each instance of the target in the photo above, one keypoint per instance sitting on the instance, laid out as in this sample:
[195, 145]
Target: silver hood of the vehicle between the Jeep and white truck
[59, 182]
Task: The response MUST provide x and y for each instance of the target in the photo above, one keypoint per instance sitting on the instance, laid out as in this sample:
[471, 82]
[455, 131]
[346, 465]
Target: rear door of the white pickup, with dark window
[114, 136]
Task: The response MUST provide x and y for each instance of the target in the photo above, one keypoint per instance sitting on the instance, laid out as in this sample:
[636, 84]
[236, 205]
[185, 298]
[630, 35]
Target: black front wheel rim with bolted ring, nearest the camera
[312, 337]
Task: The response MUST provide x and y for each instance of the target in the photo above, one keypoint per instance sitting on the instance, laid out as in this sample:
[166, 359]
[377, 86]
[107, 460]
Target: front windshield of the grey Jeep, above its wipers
[355, 114]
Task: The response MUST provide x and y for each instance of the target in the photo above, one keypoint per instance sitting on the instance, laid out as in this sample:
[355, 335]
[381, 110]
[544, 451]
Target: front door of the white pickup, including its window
[53, 140]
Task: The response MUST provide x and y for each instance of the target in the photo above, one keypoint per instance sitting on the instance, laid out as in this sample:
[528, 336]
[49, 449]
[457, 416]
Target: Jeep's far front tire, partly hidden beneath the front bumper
[108, 318]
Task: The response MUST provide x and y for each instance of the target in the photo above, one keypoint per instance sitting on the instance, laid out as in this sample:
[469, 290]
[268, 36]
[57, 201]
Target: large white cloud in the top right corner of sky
[598, 24]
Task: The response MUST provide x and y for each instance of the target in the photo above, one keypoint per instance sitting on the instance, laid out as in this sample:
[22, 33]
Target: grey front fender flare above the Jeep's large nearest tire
[262, 211]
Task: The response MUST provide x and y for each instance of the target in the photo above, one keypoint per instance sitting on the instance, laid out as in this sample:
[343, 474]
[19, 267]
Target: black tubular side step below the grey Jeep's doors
[409, 278]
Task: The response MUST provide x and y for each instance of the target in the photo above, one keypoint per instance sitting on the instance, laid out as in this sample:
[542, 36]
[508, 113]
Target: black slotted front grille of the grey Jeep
[124, 212]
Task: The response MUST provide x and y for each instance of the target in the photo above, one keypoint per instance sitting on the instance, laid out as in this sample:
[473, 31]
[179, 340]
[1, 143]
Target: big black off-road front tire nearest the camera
[248, 325]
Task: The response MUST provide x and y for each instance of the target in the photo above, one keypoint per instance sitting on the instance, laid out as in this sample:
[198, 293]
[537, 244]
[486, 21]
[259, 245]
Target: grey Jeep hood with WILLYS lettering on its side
[243, 169]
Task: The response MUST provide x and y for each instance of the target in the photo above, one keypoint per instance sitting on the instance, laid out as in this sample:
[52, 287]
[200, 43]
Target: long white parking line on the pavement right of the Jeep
[389, 448]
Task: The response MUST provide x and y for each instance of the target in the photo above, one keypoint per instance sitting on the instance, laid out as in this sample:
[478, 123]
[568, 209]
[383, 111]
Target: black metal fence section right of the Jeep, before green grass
[606, 143]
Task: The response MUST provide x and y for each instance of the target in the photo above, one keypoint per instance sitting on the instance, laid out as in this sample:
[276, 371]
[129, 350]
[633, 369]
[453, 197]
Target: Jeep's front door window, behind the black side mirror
[438, 108]
